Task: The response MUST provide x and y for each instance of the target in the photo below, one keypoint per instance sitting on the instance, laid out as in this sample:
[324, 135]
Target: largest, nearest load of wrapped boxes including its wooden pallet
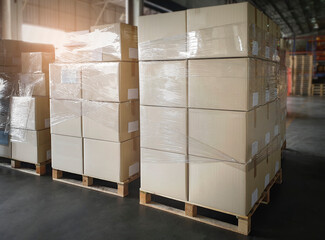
[209, 110]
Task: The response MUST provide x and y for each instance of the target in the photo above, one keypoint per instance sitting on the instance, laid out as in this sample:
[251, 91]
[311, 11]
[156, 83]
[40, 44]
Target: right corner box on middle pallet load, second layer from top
[111, 81]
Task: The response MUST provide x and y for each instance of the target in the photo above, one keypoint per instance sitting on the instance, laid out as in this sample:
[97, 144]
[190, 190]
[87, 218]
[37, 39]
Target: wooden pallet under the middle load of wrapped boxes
[122, 189]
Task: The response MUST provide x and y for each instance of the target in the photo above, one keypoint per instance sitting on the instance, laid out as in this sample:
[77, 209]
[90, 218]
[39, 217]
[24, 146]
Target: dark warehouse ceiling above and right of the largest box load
[295, 17]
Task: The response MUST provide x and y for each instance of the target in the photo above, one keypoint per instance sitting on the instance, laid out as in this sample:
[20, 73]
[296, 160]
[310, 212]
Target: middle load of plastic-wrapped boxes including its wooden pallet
[95, 109]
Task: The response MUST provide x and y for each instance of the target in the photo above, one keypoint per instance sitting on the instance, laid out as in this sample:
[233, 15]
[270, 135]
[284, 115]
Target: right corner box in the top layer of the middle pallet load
[114, 42]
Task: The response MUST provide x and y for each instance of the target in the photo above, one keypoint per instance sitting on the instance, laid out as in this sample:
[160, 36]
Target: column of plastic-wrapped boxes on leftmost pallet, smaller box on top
[30, 110]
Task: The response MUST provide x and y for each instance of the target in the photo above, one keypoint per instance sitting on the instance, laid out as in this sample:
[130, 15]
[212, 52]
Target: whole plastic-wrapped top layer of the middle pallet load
[112, 42]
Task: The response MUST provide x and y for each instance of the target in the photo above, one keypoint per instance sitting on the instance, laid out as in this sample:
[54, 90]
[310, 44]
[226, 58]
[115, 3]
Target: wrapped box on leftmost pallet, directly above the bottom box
[32, 113]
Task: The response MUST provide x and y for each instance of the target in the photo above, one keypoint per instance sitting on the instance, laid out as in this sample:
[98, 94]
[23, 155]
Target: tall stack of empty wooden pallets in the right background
[302, 75]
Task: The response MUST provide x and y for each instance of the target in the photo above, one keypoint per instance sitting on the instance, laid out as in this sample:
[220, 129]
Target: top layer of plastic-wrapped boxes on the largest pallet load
[233, 30]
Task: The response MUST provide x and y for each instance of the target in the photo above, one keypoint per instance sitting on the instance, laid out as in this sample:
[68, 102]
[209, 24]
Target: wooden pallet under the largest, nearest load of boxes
[190, 209]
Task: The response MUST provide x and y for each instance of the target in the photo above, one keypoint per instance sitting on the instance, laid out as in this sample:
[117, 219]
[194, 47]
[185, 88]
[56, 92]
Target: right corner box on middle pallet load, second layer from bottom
[116, 122]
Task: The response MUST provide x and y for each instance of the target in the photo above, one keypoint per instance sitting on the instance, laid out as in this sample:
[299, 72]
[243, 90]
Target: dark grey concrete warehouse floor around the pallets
[34, 207]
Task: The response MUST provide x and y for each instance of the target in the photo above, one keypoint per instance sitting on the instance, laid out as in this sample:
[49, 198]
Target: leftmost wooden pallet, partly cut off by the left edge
[39, 170]
